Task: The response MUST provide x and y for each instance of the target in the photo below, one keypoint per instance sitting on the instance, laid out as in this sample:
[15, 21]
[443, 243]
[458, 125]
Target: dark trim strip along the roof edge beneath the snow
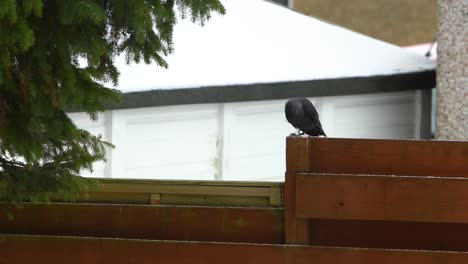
[282, 90]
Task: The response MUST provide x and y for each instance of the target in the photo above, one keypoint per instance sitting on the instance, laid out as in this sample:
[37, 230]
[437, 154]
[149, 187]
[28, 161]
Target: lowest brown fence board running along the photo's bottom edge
[91, 250]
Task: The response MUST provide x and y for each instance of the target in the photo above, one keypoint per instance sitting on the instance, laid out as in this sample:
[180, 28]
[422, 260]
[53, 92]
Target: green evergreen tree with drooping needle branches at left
[54, 56]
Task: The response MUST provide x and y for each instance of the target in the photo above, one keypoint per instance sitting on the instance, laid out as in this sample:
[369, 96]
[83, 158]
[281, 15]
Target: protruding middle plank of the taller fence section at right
[388, 198]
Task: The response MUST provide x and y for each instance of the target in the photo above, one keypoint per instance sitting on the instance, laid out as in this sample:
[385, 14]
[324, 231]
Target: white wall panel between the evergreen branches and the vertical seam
[176, 142]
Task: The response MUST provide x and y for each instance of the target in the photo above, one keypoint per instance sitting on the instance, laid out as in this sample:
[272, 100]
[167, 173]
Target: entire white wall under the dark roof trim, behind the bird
[237, 141]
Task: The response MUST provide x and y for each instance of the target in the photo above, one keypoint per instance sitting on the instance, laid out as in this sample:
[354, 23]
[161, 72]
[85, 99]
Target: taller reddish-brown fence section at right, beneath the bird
[398, 194]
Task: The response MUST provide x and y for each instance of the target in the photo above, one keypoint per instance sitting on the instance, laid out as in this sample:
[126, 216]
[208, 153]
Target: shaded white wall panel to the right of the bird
[389, 116]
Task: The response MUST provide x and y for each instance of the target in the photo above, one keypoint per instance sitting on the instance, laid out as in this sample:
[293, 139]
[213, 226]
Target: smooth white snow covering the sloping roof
[262, 42]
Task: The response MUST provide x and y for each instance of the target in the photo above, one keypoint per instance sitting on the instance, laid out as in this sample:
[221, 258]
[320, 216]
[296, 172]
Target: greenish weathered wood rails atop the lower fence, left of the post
[179, 192]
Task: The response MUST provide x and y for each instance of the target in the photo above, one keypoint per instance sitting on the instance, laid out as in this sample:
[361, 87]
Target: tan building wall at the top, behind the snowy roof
[401, 22]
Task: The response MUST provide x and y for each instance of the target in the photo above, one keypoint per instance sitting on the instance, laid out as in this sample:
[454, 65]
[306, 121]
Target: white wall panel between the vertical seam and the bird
[254, 142]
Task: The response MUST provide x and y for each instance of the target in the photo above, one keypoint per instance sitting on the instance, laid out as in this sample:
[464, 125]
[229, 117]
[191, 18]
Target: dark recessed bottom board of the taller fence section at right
[389, 234]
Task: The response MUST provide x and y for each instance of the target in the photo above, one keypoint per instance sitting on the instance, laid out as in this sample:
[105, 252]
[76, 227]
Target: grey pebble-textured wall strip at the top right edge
[452, 70]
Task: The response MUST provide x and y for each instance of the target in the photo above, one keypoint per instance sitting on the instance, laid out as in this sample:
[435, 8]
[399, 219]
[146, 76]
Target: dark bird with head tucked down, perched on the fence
[301, 113]
